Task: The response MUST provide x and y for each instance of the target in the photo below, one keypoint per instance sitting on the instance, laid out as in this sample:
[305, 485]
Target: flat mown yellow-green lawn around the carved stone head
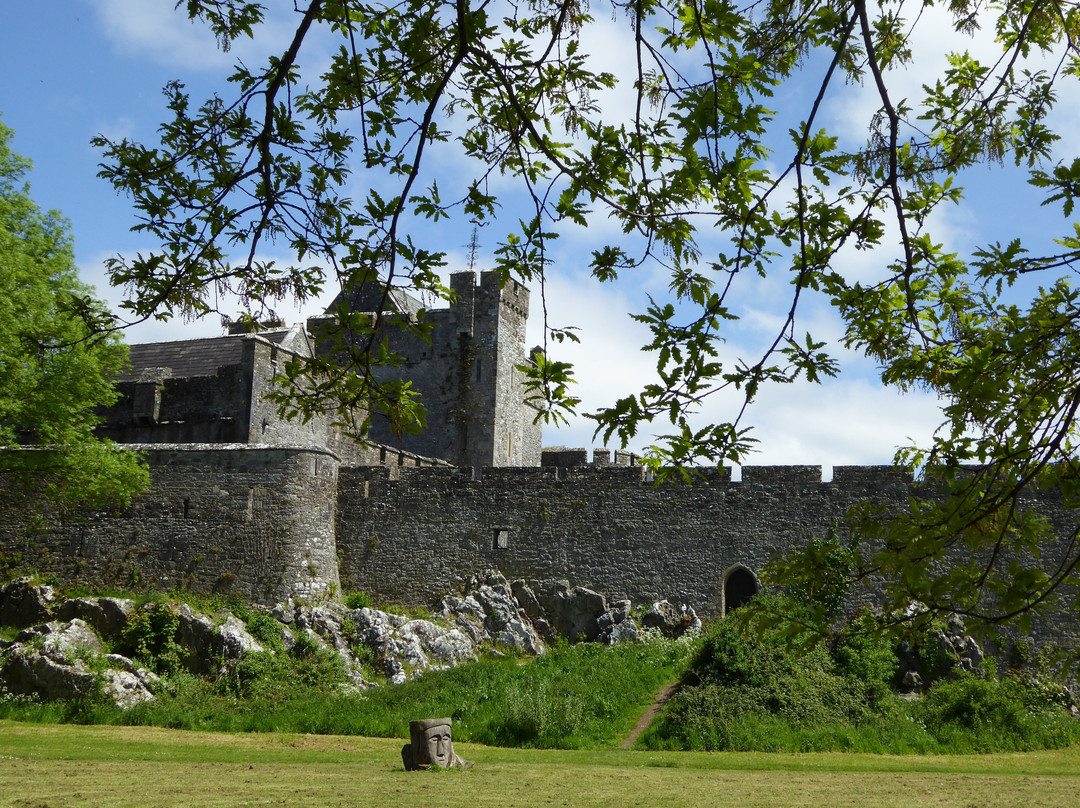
[55, 766]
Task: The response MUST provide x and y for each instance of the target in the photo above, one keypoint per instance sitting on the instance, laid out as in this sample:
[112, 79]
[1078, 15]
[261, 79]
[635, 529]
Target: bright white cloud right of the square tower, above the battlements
[848, 421]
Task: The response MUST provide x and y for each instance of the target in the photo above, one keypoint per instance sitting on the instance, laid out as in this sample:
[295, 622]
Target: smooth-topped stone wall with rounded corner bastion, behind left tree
[256, 522]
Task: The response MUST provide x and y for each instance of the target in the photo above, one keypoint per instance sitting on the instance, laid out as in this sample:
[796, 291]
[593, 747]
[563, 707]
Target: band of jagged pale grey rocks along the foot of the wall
[67, 657]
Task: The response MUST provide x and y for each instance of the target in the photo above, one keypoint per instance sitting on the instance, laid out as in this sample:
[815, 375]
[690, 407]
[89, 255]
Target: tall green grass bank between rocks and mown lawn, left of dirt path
[575, 697]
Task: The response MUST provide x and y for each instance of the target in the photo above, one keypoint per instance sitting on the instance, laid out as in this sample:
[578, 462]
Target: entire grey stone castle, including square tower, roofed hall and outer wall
[245, 503]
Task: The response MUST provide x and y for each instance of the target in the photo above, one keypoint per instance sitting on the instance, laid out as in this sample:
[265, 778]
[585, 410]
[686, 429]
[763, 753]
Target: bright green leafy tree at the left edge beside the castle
[56, 365]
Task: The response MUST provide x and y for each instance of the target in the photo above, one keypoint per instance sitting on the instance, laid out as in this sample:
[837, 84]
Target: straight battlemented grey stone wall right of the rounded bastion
[603, 528]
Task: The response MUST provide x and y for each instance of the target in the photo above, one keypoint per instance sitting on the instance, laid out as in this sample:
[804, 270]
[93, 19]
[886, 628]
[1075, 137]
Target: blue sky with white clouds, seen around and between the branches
[77, 69]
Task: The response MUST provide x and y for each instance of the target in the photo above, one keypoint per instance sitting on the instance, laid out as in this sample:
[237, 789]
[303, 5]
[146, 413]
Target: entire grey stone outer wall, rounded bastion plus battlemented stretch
[269, 523]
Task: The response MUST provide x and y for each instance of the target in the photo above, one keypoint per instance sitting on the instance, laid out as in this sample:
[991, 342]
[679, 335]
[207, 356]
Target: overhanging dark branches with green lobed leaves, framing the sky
[710, 183]
